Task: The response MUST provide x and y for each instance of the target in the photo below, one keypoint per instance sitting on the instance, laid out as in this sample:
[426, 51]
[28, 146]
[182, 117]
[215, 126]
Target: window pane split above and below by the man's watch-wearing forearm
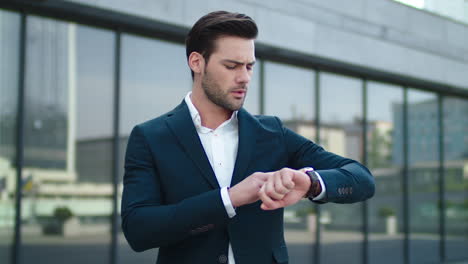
[341, 133]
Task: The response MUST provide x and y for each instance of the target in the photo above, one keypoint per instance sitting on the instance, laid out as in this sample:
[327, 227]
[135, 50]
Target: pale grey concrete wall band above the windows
[381, 34]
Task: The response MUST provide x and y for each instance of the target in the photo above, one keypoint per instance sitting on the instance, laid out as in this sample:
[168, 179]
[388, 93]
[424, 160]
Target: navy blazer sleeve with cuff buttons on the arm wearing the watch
[346, 180]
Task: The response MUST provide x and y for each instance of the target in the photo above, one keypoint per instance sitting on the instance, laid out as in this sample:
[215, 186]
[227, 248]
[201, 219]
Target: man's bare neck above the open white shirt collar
[211, 115]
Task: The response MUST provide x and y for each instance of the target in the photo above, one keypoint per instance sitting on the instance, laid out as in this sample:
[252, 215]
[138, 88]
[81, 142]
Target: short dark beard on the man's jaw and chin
[221, 98]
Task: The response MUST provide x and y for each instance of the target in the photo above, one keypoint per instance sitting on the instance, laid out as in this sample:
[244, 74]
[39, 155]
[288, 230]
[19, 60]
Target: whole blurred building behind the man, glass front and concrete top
[380, 81]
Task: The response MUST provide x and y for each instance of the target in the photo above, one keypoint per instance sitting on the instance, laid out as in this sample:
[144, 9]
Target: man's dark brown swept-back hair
[201, 38]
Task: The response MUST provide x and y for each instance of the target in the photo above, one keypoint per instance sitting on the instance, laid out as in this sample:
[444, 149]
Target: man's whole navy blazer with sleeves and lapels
[171, 199]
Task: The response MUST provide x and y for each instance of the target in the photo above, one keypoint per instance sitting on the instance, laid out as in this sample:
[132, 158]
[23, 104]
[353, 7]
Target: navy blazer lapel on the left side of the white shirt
[181, 124]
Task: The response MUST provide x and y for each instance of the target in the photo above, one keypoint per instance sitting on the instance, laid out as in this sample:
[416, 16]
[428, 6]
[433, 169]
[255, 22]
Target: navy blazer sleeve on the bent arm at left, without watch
[146, 221]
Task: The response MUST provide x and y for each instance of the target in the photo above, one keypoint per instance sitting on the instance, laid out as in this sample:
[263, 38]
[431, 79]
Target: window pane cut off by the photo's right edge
[455, 114]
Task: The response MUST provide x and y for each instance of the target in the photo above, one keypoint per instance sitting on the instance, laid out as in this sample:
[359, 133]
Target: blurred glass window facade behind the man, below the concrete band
[72, 90]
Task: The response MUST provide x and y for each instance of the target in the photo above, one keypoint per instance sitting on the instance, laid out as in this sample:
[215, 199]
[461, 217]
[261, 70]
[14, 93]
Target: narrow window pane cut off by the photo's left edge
[9, 54]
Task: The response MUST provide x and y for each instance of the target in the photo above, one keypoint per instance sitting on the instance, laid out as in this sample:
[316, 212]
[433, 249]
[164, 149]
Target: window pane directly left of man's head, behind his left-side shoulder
[155, 79]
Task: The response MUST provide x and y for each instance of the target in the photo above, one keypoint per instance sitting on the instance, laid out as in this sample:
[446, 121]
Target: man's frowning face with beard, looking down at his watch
[227, 74]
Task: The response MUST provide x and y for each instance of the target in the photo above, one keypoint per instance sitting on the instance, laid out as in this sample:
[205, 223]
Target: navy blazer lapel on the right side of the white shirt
[247, 139]
